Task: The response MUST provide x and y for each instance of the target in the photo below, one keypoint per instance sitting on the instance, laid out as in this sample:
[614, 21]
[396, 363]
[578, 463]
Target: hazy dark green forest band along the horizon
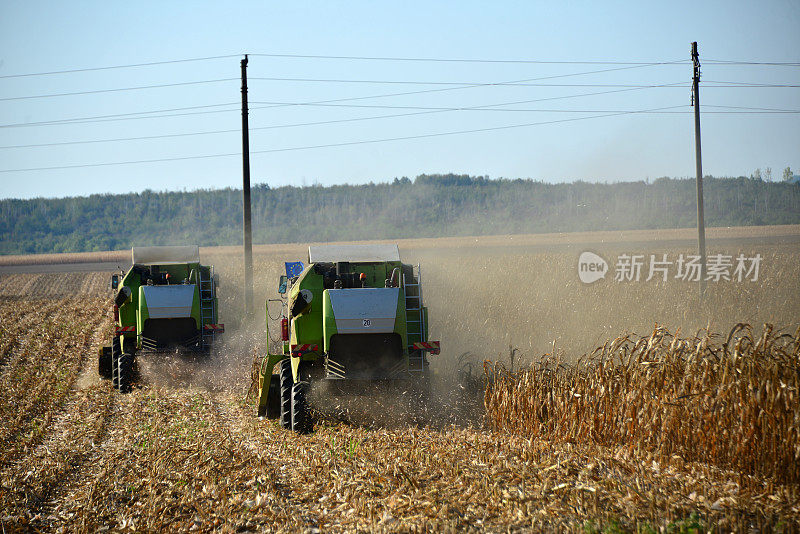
[428, 206]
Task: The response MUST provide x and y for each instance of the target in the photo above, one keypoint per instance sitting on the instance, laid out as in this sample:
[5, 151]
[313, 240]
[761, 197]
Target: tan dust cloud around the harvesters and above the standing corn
[513, 299]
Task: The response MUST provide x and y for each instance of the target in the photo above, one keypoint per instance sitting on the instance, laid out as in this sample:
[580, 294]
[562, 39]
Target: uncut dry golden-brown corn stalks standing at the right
[729, 401]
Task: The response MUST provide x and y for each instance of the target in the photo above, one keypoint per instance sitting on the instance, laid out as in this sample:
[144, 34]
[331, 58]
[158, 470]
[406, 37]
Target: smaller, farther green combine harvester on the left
[167, 301]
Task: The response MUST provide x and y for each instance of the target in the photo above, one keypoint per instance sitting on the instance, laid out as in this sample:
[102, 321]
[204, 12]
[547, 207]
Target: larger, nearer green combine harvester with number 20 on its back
[350, 318]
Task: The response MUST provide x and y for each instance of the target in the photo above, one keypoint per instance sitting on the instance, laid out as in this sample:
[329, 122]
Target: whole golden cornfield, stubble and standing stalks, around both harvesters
[184, 450]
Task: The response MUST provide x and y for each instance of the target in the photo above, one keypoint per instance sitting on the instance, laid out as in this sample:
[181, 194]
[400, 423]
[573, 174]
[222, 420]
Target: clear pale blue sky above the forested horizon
[38, 37]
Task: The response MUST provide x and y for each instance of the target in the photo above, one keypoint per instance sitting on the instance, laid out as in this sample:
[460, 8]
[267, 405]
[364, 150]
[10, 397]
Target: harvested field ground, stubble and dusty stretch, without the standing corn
[185, 452]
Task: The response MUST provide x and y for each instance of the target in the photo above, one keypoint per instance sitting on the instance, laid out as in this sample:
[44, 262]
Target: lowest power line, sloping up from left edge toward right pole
[331, 145]
